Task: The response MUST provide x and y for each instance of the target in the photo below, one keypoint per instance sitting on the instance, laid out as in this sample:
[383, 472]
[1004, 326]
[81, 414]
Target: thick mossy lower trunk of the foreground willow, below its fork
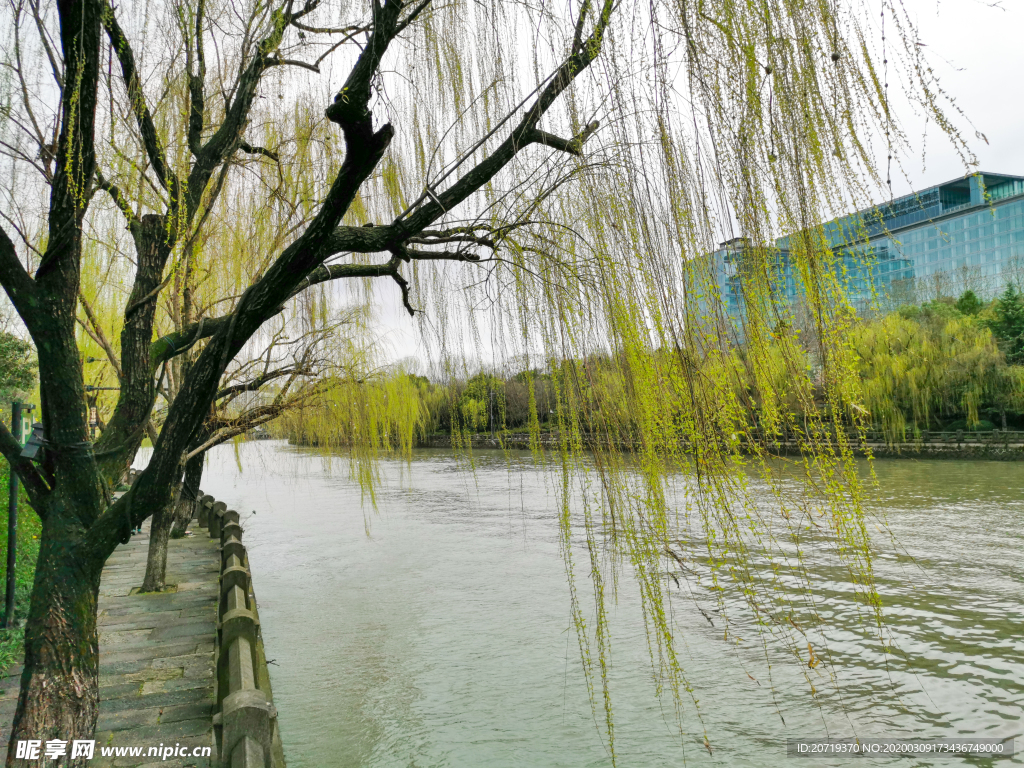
[60, 686]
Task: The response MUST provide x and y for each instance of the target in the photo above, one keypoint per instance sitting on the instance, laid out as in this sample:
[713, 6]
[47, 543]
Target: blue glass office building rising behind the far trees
[965, 234]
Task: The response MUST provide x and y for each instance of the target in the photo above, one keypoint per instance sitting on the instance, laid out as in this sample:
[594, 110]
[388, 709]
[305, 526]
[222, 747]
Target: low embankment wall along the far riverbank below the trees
[995, 446]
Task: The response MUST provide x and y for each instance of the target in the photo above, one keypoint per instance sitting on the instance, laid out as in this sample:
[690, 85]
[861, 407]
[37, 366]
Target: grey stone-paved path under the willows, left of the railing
[156, 655]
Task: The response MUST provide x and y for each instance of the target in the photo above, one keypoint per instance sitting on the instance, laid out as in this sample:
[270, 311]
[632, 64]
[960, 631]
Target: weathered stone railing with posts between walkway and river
[246, 722]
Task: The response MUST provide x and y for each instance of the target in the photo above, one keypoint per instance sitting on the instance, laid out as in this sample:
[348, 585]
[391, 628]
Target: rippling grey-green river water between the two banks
[443, 637]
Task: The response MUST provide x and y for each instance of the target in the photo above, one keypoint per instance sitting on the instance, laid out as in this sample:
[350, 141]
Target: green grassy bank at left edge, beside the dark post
[29, 531]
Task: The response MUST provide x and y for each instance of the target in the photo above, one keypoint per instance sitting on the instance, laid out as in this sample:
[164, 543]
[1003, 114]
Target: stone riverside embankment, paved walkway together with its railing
[183, 669]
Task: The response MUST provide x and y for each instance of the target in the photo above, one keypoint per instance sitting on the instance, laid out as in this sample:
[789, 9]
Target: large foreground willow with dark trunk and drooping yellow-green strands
[554, 198]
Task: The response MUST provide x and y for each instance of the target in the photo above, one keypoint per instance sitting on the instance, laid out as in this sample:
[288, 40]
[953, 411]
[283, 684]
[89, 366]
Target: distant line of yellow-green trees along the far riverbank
[944, 365]
